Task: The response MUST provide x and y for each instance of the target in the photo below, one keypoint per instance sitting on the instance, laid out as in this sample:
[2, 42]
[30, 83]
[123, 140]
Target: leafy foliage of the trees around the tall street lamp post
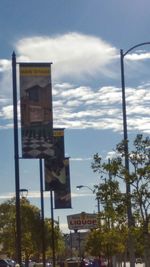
[113, 175]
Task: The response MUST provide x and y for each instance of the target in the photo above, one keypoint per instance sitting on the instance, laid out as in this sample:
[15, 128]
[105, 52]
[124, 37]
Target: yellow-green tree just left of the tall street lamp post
[113, 228]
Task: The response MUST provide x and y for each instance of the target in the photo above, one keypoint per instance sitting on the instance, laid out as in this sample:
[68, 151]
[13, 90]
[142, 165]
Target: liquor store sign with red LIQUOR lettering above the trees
[82, 221]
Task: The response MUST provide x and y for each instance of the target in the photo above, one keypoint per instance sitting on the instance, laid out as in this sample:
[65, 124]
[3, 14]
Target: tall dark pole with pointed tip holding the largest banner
[16, 158]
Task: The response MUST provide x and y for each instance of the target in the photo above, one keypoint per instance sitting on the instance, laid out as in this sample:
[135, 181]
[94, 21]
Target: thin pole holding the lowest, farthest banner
[52, 219]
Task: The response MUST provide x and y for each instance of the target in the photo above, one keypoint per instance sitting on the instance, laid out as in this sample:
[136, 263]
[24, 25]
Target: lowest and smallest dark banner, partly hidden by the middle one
[62, 198]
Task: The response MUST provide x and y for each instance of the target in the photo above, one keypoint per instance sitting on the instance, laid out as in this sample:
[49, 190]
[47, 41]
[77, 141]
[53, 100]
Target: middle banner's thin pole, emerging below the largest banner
[42, 212]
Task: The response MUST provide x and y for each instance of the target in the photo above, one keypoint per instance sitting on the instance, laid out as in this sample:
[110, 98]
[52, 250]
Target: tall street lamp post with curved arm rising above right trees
[128, 190]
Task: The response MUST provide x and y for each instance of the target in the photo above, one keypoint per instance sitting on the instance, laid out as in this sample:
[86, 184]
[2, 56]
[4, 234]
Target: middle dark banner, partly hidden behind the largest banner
[55, 176]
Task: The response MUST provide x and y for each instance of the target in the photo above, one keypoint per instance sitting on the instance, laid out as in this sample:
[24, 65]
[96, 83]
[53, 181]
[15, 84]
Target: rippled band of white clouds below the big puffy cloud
[101, 110]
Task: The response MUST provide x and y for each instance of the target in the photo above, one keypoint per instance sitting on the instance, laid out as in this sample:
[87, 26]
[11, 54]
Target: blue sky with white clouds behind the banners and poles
[82, 38]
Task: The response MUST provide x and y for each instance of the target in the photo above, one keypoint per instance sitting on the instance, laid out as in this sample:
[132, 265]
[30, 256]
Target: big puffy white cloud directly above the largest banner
[73, 54]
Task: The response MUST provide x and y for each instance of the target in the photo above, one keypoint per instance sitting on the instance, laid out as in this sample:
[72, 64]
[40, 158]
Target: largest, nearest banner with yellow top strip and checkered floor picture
[36, 110]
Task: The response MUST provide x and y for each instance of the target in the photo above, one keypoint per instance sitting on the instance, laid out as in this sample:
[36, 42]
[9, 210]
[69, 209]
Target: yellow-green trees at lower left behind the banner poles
[31, 230]
